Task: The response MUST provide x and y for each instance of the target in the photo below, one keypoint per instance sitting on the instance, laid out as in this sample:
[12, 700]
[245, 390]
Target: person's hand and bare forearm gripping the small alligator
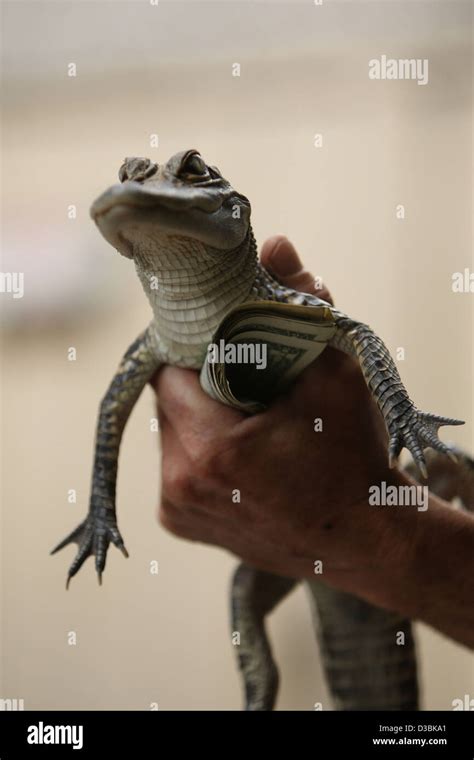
[304, 494]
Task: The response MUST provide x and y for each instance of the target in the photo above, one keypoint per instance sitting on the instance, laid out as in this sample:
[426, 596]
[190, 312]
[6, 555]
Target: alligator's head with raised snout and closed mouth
[184, 197]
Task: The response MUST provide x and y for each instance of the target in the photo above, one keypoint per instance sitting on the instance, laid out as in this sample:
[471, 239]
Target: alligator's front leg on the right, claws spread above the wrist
[406, 425]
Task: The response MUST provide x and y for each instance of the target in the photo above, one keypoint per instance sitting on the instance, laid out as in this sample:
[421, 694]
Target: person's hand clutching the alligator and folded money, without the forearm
[303, 494]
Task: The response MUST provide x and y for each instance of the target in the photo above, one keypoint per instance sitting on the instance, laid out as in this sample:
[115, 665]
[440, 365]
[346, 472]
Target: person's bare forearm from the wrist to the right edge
[424, 568]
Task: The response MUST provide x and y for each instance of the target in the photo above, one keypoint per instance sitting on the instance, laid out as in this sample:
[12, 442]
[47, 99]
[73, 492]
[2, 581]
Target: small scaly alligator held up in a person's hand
[189, 234]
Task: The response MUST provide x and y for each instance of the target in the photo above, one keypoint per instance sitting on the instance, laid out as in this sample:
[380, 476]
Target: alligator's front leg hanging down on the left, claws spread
[99, 528]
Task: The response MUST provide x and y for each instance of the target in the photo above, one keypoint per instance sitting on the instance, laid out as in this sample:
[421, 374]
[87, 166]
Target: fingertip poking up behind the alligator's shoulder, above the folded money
[280, 257]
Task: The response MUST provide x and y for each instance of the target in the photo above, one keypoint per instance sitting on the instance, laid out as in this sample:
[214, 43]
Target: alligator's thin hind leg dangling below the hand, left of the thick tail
[254, 595]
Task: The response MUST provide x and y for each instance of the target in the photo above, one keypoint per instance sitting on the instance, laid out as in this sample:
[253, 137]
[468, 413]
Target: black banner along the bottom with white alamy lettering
[313, 734]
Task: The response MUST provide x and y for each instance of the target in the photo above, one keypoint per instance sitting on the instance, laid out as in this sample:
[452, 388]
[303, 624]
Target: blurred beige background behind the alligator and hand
[167, 70]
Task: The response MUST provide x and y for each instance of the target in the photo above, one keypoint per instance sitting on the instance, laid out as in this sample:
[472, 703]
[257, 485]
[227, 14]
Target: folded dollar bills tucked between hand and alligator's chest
[260, 348]
